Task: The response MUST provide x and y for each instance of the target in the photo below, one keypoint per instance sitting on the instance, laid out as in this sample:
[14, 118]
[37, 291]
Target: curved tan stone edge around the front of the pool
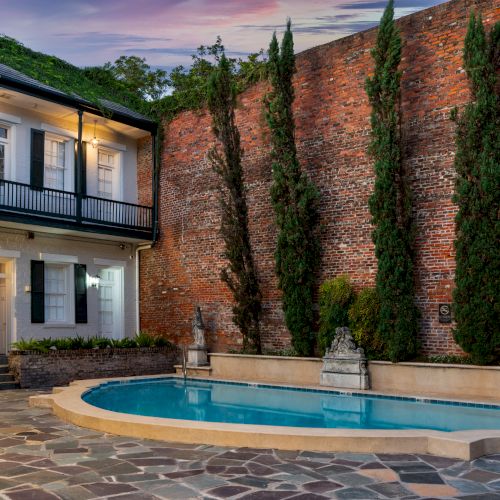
[67, 404]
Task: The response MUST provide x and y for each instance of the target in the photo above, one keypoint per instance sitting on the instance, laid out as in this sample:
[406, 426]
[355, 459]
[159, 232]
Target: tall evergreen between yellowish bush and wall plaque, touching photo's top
[390, 203]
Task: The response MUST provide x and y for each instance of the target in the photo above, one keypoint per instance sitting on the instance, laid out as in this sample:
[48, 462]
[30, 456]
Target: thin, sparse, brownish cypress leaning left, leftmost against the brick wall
[240, 276]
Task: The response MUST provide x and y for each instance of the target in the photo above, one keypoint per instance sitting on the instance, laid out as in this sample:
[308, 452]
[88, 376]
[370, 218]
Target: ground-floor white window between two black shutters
[57, 292]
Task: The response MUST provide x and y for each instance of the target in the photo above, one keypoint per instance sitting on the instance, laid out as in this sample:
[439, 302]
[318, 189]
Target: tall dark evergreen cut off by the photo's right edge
[477, 193]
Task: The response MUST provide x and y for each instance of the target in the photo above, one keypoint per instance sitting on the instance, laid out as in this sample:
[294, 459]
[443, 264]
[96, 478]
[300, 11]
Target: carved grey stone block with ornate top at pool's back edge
[344, 365]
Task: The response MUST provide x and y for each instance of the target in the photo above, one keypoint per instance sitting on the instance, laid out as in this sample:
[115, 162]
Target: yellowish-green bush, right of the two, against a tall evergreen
[363, 320]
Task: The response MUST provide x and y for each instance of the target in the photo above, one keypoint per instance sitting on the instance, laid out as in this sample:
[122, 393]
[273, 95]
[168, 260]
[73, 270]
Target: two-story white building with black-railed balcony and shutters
[71, 225]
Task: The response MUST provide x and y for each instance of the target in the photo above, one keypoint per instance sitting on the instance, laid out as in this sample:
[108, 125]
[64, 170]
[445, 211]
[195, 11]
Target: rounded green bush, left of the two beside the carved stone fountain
[335, 298]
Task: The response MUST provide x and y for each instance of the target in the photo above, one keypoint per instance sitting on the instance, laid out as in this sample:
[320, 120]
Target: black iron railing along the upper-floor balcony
[16, 197]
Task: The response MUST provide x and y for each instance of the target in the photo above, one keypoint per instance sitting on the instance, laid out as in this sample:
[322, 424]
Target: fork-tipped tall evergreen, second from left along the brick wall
[294, 198]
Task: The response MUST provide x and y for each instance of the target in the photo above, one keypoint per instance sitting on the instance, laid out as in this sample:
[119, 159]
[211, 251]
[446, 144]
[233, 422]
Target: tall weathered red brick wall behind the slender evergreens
[332, 117]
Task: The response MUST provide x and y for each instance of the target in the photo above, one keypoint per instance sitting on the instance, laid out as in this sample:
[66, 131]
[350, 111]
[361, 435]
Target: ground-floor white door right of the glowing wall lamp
[110, 303]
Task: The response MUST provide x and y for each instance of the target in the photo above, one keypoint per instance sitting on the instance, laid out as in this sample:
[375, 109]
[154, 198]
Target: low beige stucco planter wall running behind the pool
[452, 381]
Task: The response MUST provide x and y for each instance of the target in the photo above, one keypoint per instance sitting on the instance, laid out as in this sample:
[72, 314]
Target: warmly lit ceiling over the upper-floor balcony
[68, 115]
